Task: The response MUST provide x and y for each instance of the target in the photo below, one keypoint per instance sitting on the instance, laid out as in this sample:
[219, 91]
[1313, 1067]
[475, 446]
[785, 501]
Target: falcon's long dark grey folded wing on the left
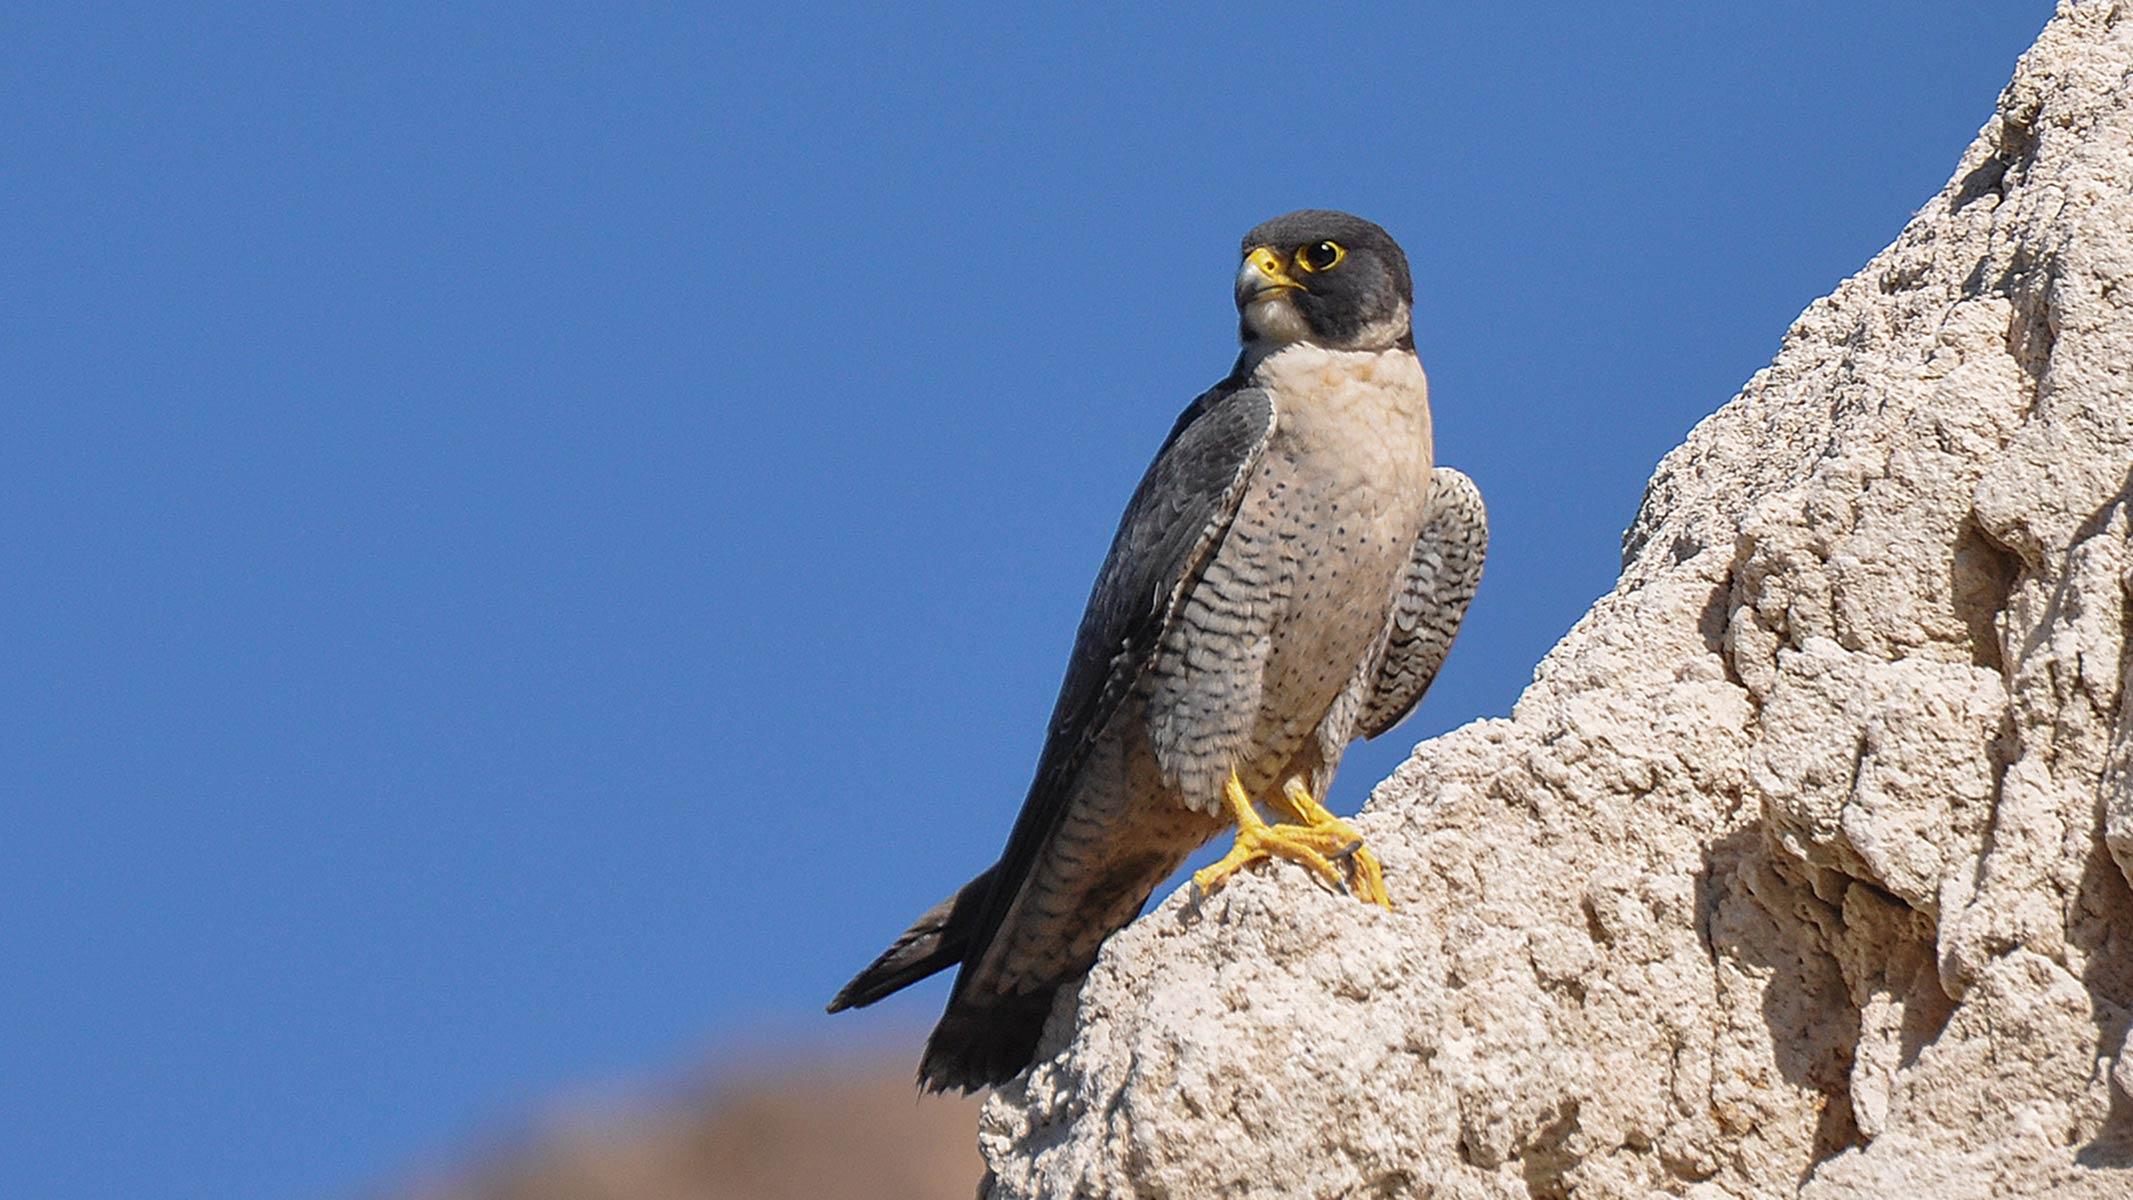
[1176, 519]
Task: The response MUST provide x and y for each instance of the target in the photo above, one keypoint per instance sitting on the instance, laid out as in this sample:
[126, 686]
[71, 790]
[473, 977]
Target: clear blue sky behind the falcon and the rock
[534, 540]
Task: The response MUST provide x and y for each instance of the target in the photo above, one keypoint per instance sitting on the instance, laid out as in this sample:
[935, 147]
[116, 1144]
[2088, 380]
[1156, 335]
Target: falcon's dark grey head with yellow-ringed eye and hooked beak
[1328, 280]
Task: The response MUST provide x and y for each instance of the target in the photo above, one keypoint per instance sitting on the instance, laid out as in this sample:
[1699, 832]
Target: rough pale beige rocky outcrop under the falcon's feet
[1803, 864]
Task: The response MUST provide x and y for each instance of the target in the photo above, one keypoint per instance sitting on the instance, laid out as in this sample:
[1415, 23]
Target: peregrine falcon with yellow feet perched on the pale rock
[1287, 579]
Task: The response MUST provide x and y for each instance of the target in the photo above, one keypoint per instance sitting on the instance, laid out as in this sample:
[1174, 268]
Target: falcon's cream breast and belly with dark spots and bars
[1298, 594]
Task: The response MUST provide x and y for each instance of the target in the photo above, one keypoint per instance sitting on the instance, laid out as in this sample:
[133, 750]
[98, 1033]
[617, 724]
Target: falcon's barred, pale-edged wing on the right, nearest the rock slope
[1434, 598]
